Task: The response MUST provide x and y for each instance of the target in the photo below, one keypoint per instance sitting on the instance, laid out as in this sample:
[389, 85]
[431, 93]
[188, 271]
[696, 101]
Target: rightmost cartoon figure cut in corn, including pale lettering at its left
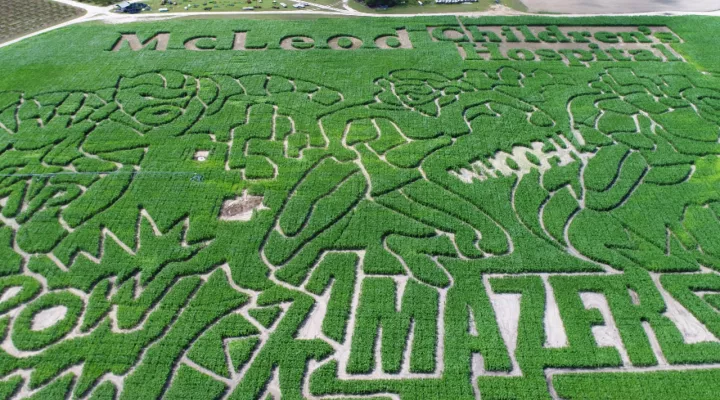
[631, 183]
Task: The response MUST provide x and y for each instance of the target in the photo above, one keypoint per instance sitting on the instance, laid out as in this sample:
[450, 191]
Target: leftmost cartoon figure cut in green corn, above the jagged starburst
[72, 157]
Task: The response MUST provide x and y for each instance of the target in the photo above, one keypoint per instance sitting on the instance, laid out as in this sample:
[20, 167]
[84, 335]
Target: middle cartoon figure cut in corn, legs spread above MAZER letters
[389, 144]
